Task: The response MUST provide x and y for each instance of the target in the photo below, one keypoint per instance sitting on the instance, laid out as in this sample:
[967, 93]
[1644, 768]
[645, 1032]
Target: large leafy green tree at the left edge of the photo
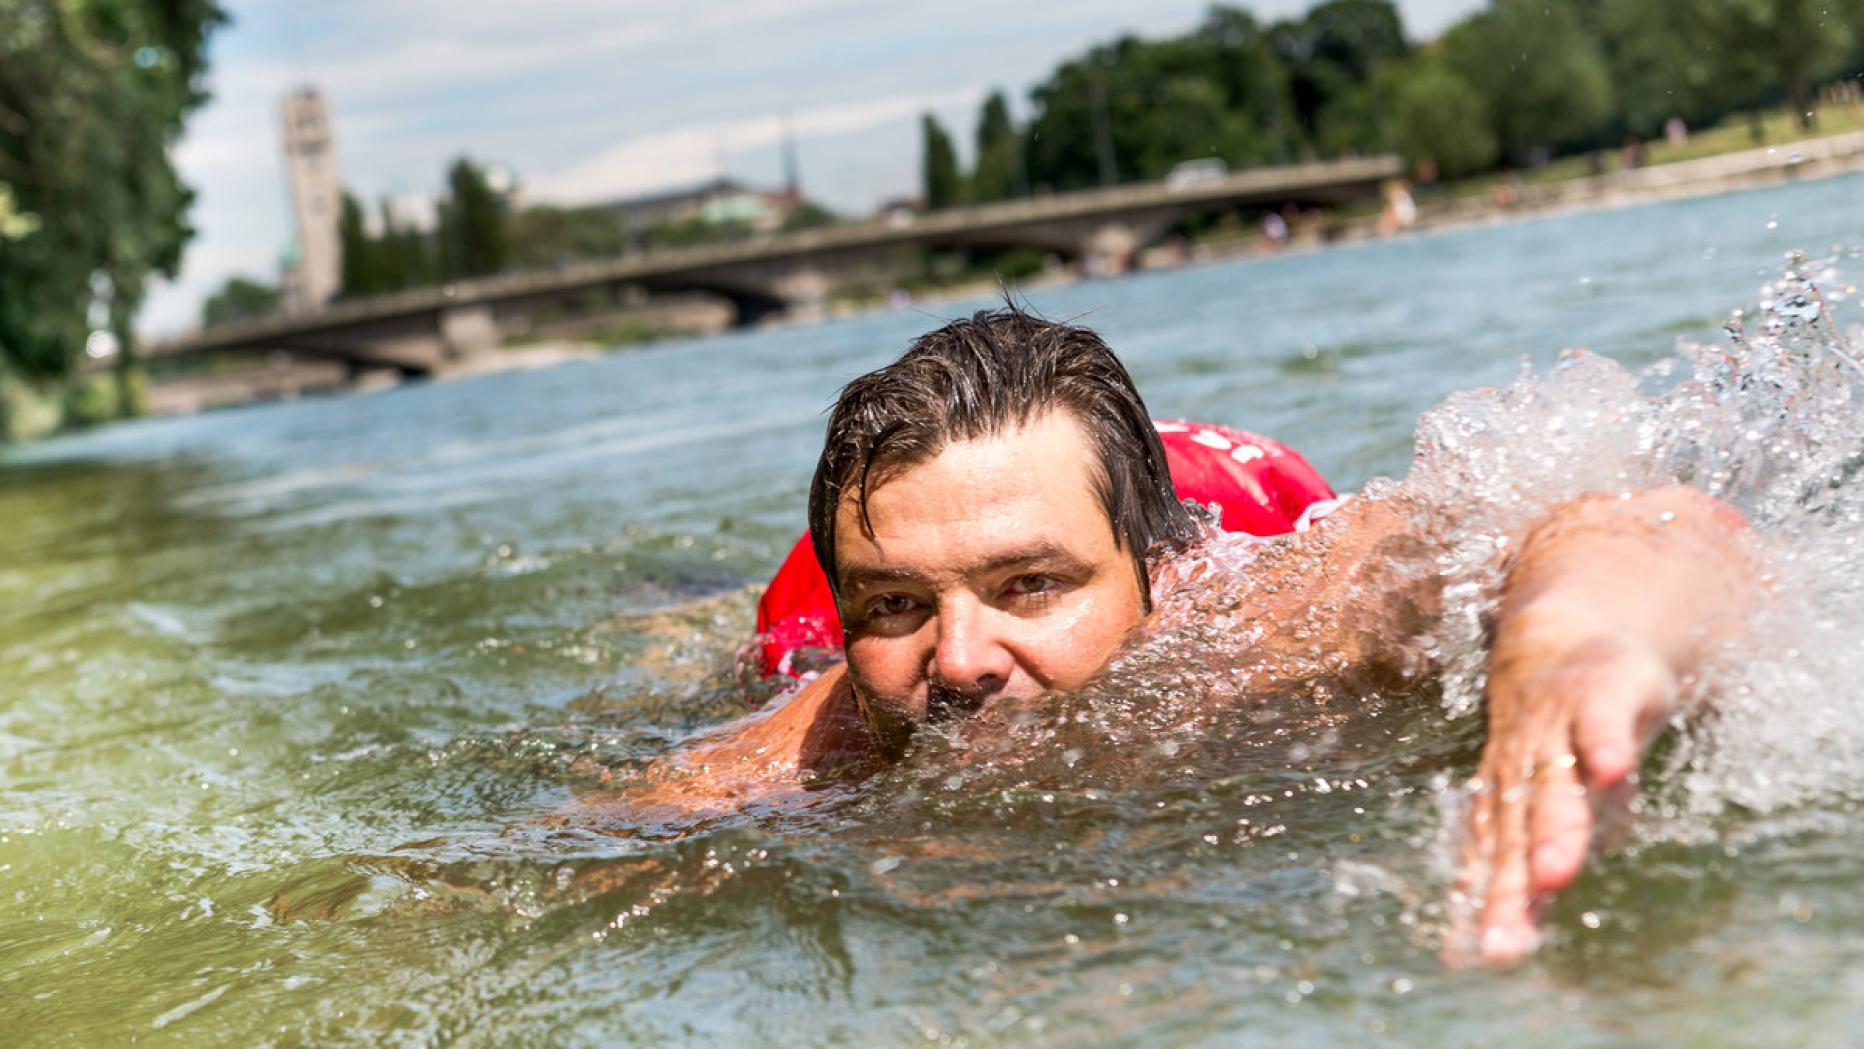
[92, 96]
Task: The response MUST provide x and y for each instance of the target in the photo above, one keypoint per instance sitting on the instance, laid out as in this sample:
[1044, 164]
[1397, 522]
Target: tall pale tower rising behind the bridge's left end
[314, 269]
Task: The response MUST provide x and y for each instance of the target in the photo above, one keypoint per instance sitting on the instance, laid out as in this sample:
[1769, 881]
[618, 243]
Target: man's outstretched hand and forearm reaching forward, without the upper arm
[1608, 605]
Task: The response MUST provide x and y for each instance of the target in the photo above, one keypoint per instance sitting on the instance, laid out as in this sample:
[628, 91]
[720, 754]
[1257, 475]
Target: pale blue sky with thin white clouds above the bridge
[601, 100]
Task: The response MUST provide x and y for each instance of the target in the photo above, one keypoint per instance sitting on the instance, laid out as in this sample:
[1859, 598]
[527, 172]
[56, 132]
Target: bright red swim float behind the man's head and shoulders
[1261, 487]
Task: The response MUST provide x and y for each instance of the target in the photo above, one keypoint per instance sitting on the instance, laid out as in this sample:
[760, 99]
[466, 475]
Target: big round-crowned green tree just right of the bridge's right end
[1541, 74]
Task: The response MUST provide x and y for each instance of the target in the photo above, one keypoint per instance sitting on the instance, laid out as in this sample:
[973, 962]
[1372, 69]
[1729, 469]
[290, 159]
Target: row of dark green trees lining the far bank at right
[1514, 83]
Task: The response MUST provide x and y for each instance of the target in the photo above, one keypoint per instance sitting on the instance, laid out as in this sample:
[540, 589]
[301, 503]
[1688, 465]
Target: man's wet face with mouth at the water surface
[991, 573]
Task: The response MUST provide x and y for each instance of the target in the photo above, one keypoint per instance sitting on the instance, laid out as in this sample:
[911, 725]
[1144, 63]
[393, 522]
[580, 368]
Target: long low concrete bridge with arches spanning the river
[420, 333]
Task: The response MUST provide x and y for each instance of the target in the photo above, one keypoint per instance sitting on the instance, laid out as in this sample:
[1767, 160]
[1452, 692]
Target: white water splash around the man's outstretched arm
[1770, 420]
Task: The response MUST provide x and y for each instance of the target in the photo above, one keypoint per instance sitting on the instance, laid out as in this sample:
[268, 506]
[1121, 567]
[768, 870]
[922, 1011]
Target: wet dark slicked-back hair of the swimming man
[985, 375]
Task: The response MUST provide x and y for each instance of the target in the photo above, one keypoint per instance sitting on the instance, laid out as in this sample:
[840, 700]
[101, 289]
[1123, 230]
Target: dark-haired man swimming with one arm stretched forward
[991, 511]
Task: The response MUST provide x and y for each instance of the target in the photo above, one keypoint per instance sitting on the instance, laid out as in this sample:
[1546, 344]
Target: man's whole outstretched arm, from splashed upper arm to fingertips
[1608, 605]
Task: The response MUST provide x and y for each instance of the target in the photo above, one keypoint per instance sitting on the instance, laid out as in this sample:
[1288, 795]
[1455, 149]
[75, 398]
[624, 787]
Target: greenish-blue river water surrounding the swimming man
[288, 696]
